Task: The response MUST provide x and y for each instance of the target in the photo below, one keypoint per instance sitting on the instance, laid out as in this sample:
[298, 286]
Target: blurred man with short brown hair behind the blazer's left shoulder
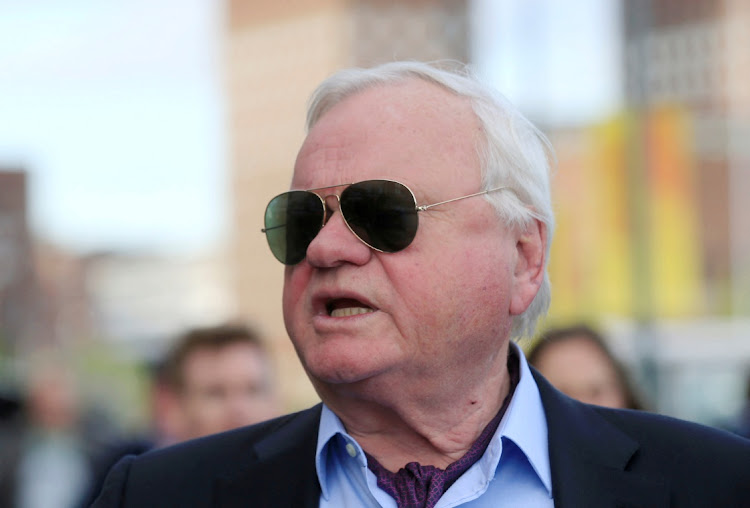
[211, 380]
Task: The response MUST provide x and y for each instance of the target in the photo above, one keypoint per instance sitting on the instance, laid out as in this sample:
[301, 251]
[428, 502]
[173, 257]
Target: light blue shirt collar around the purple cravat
[524, 423]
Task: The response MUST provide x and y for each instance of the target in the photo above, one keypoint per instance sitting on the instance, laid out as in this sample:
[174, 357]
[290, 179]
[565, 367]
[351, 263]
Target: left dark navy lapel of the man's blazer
[283, 471]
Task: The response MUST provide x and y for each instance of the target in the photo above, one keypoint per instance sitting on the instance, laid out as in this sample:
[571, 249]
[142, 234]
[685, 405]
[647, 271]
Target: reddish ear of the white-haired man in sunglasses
[528, 274]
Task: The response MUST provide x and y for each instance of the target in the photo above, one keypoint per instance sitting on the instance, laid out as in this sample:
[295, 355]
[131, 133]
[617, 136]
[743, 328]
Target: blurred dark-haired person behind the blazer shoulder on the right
[577, 361]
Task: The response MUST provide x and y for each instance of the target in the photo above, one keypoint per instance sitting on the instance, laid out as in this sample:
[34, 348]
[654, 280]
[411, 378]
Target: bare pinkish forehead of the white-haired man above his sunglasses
[392, 131]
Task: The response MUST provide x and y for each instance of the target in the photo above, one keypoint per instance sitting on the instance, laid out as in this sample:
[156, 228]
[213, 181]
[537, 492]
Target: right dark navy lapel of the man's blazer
[589, 457]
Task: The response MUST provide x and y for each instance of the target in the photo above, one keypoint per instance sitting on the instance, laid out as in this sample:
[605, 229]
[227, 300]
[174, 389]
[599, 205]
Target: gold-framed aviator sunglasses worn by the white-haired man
[381, 213]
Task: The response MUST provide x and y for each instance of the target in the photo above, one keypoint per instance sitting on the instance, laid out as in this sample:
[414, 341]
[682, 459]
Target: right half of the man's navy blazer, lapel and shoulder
[694, 464]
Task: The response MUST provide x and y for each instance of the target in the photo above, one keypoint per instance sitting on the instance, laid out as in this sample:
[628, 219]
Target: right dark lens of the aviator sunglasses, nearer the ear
[381, 213]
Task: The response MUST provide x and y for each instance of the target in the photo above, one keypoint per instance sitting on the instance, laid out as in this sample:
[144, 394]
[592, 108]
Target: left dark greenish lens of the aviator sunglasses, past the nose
[292, 220]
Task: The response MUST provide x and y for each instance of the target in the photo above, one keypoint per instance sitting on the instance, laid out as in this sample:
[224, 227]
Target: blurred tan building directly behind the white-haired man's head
[277, 53]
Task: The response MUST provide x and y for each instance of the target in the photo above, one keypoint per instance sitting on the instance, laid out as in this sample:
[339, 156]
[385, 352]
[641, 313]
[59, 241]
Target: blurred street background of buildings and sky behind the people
[140, 142]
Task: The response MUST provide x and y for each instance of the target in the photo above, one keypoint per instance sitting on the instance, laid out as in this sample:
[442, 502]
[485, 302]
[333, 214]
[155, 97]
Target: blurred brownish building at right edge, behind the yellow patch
[693, 57]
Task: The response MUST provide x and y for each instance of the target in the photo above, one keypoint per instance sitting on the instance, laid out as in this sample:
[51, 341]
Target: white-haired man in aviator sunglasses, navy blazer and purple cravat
[416, 241]
